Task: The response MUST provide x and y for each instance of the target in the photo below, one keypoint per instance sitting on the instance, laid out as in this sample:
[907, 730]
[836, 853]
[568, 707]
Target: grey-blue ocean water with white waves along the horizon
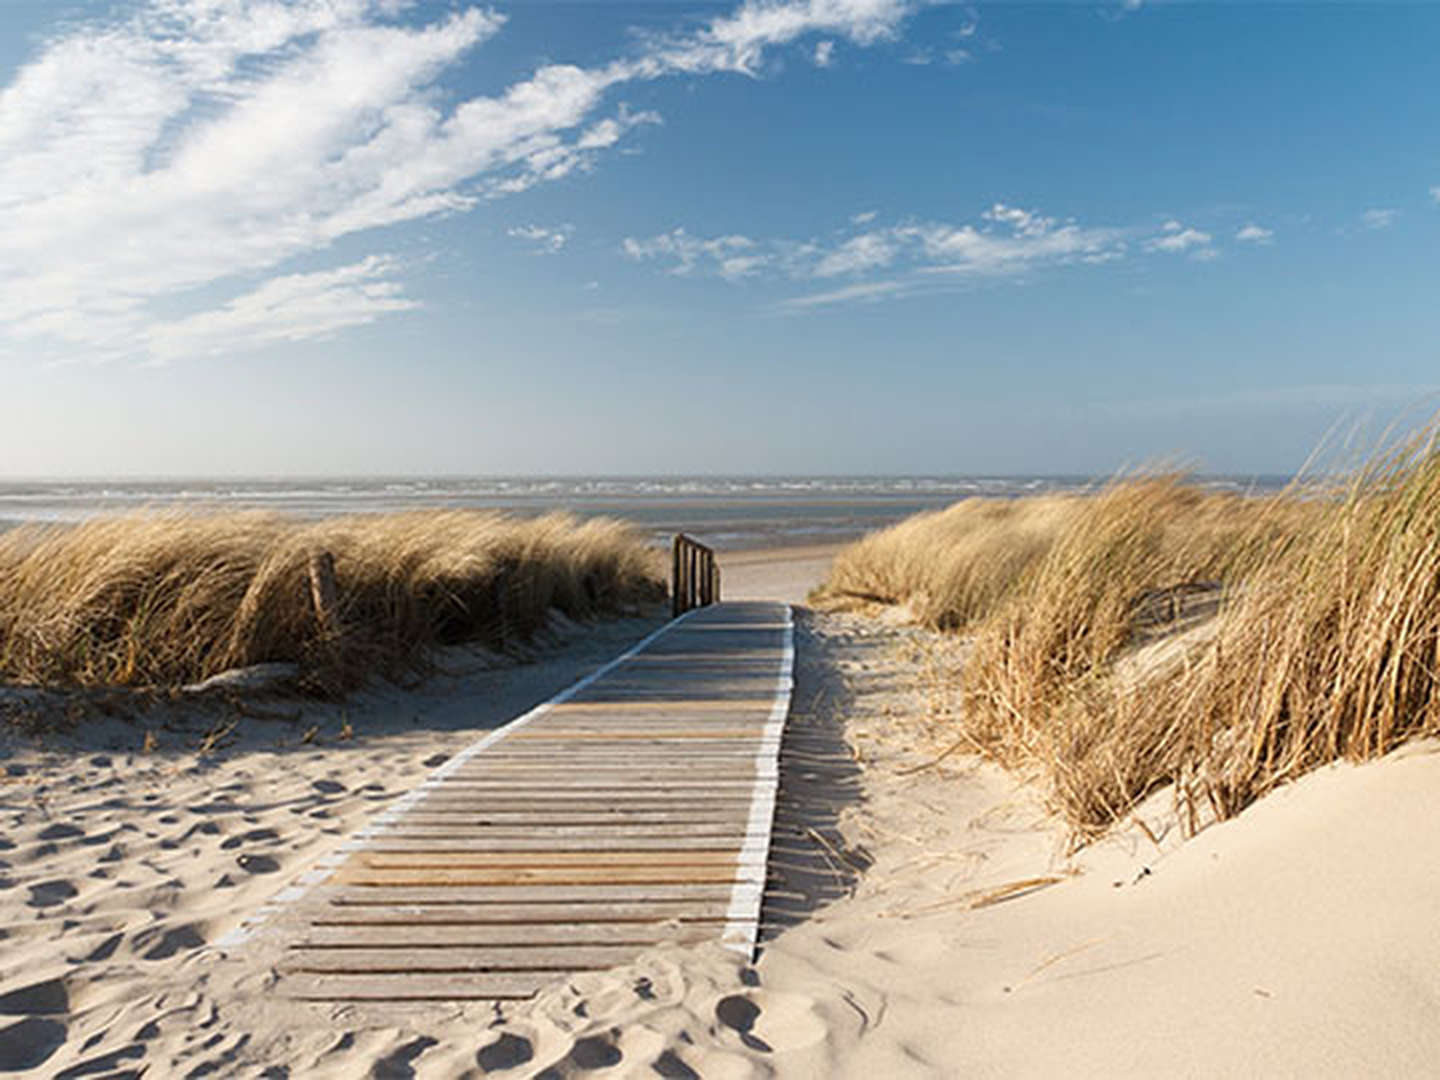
[725, 512]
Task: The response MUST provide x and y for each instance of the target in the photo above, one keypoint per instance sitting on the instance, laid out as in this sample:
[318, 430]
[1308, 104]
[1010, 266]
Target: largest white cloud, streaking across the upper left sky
[202, 143]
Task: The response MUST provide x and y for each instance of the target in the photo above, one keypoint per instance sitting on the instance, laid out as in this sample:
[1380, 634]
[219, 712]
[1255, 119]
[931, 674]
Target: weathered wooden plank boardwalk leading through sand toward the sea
[630, 811]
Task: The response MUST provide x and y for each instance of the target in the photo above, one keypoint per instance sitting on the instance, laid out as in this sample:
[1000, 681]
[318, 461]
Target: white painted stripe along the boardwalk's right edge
[742, 928]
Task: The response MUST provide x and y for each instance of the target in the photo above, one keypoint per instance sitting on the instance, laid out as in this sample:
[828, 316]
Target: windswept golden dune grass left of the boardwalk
[162, 600]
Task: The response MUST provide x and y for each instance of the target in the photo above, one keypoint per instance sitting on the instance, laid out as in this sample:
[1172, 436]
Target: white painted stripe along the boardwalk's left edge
[385, 822]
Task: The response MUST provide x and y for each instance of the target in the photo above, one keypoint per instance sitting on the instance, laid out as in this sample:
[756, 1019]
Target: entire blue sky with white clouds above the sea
[774, 237]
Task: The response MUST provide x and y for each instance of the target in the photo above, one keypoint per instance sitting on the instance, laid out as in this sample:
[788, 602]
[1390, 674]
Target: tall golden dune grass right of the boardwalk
[1327, 642]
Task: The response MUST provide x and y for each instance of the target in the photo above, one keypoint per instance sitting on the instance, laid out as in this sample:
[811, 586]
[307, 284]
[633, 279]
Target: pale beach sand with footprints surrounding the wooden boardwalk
[930, 921]
